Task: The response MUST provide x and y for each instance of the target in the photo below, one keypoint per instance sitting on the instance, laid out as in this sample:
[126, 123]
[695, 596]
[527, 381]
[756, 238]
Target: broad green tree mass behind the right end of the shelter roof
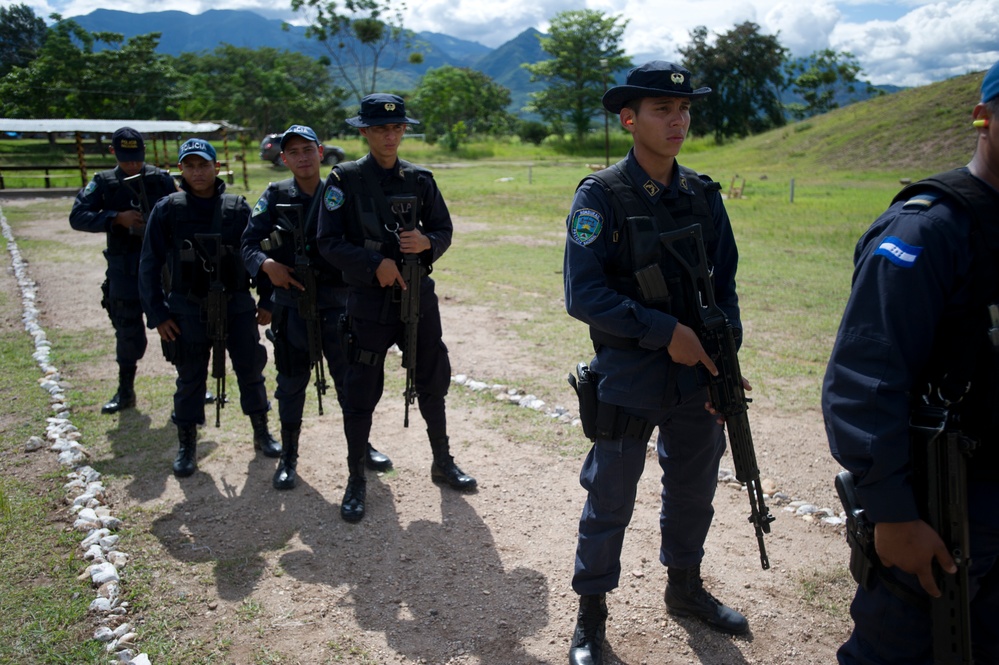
[265, 89]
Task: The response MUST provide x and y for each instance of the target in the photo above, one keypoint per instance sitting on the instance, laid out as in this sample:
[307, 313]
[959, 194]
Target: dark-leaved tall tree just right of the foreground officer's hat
[745, 69]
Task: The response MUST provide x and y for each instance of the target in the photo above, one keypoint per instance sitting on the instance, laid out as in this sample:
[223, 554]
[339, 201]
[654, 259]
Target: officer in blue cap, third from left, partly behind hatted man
[302, 153]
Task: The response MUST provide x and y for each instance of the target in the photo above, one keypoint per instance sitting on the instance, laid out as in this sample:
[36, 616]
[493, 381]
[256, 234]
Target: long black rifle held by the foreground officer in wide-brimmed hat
[728, 397]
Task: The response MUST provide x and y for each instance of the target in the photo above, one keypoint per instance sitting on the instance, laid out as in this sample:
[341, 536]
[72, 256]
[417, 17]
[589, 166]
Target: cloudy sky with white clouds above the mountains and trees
[900, 42]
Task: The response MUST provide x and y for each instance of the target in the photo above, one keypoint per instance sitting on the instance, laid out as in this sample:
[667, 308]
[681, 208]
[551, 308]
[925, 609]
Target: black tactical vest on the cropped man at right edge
[963, 351]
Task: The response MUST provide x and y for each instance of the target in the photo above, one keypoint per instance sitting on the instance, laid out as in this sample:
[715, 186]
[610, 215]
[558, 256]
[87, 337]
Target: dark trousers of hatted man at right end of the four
[364, 382]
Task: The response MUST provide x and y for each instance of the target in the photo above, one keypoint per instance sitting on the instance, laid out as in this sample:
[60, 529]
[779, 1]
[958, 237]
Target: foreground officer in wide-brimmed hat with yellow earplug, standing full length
[650, 367]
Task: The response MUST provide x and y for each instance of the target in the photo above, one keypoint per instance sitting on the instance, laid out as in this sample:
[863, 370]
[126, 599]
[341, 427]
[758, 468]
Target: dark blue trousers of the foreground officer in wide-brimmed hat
[690, 445]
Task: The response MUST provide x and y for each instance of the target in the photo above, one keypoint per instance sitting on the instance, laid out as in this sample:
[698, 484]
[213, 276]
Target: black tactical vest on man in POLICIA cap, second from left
[191, 264]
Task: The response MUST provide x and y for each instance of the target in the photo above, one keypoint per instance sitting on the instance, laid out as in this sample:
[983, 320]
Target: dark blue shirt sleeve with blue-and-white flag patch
[911, 266]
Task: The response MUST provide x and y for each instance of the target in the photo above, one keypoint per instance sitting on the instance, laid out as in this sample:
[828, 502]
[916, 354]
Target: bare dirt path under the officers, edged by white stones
[430, 575]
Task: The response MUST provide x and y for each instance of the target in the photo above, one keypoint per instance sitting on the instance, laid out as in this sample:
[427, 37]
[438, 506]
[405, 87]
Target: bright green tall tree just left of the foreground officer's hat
[586, 53]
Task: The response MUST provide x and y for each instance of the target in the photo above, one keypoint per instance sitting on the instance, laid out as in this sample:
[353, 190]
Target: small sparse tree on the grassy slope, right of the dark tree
[820, 77]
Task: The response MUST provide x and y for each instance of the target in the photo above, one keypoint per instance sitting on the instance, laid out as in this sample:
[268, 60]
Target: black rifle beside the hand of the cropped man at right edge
[944, 455]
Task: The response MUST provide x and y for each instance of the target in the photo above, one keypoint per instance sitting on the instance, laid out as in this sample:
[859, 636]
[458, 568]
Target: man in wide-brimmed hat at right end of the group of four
[359, 234]
